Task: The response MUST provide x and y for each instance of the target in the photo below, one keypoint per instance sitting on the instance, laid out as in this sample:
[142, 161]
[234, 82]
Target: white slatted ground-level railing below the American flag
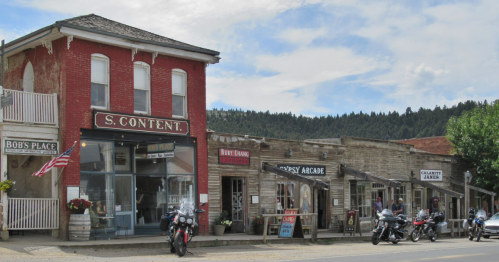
[33, 213]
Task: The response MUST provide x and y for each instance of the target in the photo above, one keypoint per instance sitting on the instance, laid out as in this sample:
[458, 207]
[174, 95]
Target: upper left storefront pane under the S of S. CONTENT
[96, 156]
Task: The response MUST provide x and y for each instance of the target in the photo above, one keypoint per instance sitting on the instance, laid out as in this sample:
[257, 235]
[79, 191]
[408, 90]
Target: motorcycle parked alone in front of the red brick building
[180, 227]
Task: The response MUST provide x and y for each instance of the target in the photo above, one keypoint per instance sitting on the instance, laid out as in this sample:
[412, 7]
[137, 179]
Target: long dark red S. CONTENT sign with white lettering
[138, 123]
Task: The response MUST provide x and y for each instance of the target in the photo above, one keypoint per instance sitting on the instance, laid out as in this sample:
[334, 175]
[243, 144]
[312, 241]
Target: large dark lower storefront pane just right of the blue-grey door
[150, 198]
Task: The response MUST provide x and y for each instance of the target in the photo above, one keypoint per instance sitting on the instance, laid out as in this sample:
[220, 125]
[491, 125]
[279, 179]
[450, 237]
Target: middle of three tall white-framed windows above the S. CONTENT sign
[141, 85]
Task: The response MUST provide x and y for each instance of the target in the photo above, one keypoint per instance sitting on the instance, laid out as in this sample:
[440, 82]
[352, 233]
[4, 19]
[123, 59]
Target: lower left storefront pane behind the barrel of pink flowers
[98, 189]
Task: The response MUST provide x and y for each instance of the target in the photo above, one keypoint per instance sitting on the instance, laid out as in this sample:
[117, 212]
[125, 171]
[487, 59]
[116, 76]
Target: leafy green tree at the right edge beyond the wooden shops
[475, 135]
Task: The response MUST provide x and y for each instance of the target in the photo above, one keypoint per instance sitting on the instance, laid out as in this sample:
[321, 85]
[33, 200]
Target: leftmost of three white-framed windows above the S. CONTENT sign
[100, 81]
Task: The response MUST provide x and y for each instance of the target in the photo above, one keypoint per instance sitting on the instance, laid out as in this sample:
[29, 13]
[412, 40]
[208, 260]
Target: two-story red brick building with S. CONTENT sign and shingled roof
[123, 95]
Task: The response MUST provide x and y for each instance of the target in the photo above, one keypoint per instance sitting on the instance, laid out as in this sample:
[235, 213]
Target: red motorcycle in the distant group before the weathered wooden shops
[426, 225]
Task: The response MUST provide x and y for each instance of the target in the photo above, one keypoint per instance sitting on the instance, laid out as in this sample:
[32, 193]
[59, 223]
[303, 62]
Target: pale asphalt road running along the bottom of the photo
[441, 250]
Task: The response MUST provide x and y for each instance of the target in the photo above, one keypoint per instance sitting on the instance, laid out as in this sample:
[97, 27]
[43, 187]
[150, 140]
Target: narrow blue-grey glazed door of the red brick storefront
[124, 200]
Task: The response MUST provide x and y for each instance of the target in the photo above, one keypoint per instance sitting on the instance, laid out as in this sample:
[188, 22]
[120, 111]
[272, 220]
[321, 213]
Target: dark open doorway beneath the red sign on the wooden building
[234, 202]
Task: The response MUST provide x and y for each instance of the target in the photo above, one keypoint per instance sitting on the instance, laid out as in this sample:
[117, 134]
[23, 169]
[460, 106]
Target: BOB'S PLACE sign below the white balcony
[30, 147]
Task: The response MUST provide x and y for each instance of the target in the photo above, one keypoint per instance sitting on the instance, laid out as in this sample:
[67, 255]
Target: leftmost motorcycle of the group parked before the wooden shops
[387, 229]
